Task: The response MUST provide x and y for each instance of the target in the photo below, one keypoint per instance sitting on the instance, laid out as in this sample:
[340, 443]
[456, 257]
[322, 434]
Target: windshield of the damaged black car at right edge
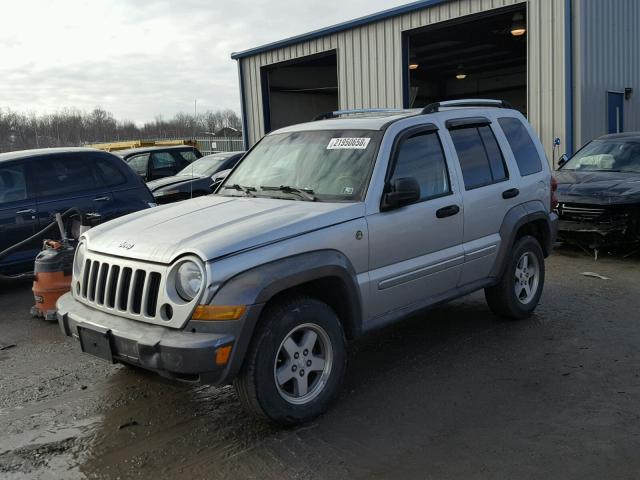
[607, 156]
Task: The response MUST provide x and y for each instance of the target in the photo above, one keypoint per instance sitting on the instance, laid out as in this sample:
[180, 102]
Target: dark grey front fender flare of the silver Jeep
[255, 287]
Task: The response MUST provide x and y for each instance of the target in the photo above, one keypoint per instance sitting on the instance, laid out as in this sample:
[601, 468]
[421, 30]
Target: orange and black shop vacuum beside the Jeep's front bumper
[52, 271]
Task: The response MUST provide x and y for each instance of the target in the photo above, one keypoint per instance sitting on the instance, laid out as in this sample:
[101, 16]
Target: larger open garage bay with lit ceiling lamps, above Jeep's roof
[482, 56]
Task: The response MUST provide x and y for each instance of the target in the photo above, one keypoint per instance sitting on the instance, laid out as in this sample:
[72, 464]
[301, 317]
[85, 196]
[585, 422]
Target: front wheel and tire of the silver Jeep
[272, 382]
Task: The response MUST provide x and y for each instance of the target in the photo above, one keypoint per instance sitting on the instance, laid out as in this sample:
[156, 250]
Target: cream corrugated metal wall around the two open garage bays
[370, 62]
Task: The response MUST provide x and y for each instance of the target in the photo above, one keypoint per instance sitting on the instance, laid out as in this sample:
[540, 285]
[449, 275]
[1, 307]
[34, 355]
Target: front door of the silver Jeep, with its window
[416, 251]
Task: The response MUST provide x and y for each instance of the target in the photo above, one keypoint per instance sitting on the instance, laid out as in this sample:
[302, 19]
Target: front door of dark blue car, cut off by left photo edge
[18, 219]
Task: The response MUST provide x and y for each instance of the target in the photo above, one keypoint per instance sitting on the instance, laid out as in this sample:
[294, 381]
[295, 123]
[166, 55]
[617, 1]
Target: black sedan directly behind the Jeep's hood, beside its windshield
[194, 180]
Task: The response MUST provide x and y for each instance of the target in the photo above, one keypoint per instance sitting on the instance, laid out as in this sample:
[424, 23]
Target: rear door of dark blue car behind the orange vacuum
[68, 180]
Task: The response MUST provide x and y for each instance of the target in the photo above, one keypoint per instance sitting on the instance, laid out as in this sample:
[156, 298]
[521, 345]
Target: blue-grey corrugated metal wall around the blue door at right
[607, 59]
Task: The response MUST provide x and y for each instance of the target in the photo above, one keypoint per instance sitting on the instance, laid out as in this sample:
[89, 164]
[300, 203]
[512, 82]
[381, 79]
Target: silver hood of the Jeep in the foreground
[214, 226]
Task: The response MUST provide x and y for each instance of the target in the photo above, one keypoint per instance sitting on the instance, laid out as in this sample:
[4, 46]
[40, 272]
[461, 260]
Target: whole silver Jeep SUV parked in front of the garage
[322, 232]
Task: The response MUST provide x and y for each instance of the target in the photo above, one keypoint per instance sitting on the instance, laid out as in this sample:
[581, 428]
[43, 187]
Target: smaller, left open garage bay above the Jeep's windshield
[297, 91]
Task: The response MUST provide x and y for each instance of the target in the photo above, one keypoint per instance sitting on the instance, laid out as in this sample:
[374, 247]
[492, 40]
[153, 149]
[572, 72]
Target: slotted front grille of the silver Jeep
[123, 288]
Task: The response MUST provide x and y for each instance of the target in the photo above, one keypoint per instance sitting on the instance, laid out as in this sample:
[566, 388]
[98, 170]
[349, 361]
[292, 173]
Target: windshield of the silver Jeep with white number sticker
[330, 164]
